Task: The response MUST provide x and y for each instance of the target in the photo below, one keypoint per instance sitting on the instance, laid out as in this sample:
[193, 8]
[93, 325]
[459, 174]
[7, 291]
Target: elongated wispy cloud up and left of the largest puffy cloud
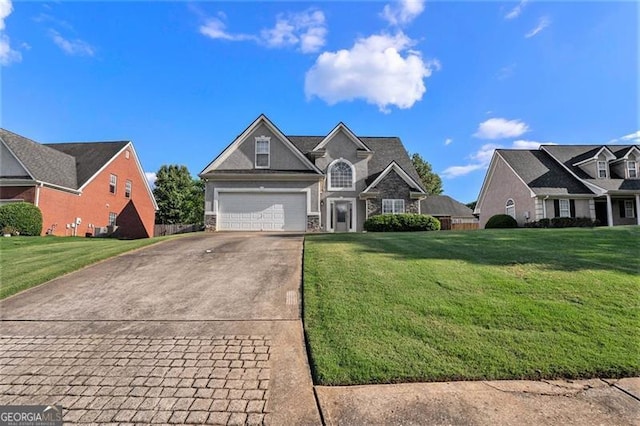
[307, 30]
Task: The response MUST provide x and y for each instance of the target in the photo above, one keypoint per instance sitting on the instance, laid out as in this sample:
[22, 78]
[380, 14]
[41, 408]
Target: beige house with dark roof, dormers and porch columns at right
[594, 181]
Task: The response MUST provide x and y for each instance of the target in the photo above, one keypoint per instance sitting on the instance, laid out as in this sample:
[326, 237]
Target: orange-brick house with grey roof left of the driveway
[81, 188]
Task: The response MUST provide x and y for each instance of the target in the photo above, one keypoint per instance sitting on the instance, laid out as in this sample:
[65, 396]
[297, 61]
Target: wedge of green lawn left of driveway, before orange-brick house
[28, 261]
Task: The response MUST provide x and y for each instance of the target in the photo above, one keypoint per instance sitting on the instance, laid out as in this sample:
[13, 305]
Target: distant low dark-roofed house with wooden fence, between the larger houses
[452, 214]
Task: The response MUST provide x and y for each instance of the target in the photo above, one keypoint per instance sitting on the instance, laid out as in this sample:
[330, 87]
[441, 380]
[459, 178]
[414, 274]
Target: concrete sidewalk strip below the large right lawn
[580, 402]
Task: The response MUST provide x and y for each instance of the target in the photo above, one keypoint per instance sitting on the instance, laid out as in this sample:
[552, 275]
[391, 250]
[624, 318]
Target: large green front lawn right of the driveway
[490, 304]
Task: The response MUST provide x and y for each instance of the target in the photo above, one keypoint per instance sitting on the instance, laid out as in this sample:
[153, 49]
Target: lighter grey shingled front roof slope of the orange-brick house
[43, 163]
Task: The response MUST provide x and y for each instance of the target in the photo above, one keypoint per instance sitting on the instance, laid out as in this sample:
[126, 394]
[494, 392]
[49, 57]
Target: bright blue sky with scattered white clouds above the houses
[454, 80]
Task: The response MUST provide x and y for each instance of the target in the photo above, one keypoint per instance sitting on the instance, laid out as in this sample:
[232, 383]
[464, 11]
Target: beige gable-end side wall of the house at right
[502, 185]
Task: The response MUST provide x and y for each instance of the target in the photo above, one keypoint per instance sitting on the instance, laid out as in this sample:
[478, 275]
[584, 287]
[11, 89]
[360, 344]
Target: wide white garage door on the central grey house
[242, 211]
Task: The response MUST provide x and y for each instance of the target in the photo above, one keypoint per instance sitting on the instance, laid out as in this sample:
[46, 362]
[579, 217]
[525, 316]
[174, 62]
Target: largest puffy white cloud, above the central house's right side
[375, 70]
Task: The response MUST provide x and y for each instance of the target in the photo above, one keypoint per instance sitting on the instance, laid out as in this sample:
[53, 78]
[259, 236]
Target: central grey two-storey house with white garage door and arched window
[267, 181]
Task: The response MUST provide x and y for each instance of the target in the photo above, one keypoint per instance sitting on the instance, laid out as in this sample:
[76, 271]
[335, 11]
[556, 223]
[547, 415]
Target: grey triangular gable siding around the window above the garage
[281, 157]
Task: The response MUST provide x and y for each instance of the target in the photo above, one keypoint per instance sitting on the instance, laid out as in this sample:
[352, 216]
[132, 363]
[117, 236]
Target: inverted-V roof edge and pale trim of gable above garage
[262, 120]
